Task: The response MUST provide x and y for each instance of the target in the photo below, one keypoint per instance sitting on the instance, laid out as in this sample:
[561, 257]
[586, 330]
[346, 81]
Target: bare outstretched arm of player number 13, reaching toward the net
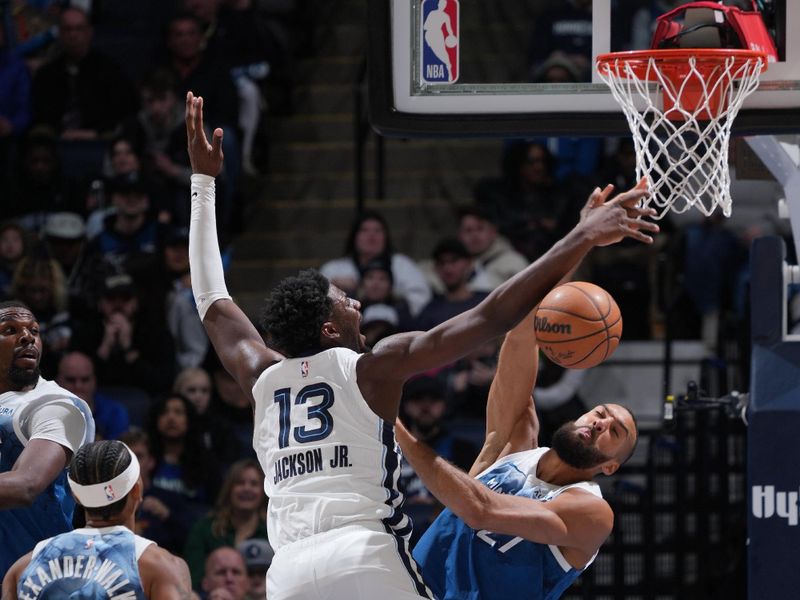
[607, 222]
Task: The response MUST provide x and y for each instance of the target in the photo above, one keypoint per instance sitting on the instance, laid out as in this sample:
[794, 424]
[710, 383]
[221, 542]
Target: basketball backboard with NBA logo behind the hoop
[518, 67]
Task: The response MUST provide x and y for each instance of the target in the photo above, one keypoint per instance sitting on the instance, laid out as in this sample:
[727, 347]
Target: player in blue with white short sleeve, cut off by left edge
[41, 426]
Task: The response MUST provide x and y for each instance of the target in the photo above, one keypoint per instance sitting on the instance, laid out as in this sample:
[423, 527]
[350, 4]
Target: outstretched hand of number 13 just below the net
[609, 221]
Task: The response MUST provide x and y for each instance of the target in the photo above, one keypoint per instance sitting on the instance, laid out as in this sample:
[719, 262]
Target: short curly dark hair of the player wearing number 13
[295, 311]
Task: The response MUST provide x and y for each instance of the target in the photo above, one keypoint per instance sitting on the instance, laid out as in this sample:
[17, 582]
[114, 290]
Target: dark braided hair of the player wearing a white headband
[99, 462]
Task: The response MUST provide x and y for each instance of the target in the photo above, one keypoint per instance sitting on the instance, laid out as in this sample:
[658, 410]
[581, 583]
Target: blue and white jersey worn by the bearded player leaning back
[461, 563]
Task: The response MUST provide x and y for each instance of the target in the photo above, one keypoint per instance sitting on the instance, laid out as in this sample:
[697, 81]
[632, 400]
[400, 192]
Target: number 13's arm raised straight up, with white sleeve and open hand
[236, 341]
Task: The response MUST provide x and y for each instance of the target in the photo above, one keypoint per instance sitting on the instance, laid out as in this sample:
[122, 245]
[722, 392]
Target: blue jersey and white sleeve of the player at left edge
[51, 512]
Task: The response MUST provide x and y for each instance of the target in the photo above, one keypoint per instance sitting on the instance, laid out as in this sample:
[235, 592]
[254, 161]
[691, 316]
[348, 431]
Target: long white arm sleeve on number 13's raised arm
[205, 261]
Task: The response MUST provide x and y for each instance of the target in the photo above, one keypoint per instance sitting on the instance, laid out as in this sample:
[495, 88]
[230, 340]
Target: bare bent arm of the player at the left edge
[39, 464]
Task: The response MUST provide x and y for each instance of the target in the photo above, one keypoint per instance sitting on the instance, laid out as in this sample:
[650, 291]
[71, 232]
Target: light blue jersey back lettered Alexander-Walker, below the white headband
[85, 564]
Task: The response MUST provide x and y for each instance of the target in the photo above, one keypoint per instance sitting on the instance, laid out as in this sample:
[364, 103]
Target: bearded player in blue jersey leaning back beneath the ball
[533, 519]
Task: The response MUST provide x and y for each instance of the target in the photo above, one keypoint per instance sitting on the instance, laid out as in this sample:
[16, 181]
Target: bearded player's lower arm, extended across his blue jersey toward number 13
[577, 521]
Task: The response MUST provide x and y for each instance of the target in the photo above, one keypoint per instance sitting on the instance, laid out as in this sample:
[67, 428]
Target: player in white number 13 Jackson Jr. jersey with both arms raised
[325, 406]
